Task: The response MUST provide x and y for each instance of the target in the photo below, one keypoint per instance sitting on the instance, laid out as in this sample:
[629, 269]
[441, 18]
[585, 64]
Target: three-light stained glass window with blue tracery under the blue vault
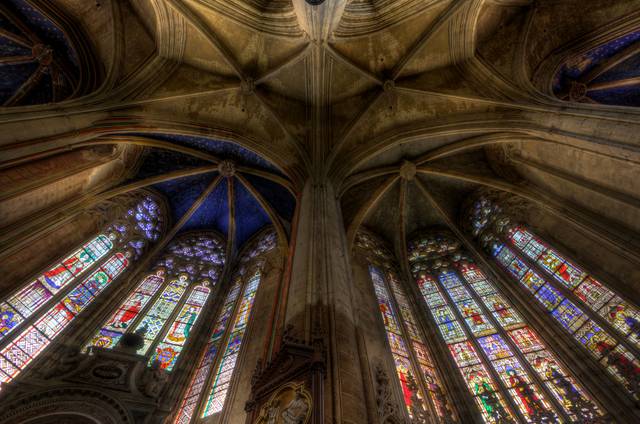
[166, 304]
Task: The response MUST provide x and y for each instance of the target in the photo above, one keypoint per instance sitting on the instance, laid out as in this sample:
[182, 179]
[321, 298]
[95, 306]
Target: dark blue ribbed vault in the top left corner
[44, 59]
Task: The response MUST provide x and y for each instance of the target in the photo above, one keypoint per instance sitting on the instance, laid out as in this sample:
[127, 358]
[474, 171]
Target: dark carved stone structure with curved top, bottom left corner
[104, 386]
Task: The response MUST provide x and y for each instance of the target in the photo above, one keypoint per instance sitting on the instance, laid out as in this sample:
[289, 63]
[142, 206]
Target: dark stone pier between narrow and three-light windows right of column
[455, 386]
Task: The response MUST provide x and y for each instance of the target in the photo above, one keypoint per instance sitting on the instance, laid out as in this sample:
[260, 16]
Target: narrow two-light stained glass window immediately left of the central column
[209, 386]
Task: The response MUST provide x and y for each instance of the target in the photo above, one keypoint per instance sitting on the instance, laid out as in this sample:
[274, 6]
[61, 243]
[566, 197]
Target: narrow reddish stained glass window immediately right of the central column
[408, 348]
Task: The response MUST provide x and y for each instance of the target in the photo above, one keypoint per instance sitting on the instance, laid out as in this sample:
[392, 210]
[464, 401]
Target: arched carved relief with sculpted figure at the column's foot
[291, 404]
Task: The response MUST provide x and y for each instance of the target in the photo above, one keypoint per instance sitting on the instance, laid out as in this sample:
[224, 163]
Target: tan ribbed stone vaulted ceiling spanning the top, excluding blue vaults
[405, 106]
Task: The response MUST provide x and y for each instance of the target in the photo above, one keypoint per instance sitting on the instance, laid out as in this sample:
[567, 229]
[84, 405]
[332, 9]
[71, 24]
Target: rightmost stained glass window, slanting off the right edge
[595, 316]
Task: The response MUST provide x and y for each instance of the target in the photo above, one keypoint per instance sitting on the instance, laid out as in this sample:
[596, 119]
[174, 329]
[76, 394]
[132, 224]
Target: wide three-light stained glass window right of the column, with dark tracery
[508, 369]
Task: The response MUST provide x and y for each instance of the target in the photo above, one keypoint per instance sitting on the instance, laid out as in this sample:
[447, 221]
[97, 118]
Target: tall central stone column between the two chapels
[320, 300]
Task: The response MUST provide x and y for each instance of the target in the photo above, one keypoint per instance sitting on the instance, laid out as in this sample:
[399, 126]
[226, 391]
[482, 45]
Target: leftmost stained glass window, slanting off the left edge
[38, 312]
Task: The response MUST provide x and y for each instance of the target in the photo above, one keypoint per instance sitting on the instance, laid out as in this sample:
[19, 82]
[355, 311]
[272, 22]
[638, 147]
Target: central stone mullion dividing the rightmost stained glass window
[568, 294]
